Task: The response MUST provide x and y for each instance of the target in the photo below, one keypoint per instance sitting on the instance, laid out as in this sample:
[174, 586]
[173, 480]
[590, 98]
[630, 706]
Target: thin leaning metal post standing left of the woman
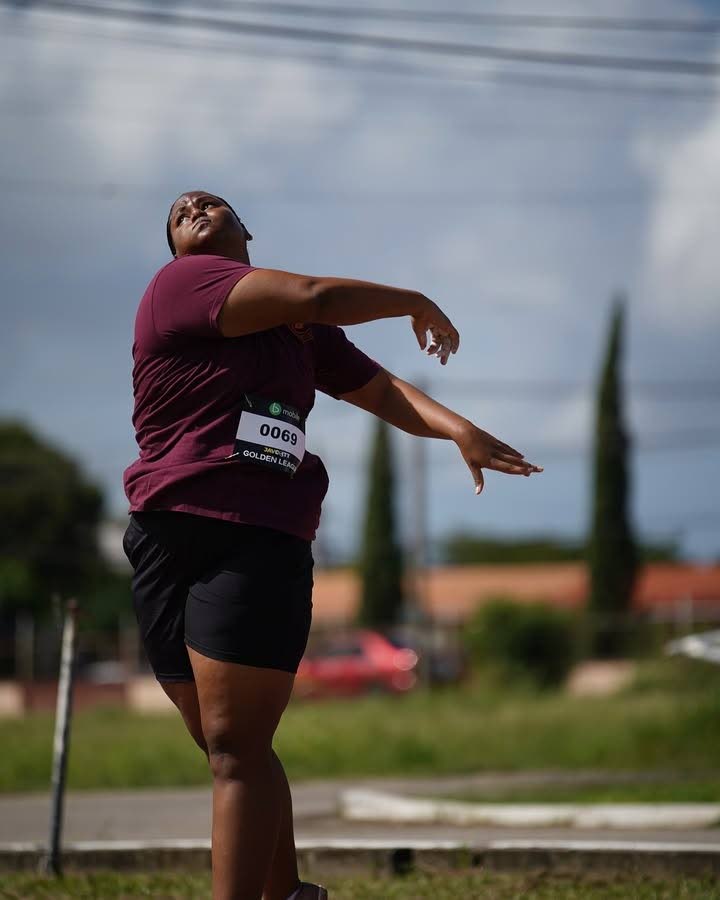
[61, 740]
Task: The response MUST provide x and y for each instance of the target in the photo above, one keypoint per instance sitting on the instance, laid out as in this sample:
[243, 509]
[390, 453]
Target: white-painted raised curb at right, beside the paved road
[376, 806]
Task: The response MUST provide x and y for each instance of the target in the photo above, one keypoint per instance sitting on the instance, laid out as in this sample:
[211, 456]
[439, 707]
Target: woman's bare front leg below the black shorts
[240, 708]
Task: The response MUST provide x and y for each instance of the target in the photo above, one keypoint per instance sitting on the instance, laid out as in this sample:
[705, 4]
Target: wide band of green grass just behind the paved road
[668, 720]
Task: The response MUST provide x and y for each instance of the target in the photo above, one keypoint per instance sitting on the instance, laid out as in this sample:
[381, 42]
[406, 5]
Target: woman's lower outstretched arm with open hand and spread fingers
[410, 409]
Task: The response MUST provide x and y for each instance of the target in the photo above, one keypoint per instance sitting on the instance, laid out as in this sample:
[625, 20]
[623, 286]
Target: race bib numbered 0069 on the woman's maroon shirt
[270, 434]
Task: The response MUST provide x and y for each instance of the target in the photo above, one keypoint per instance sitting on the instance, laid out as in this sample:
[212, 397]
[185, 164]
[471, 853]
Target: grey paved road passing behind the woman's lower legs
[173, 813]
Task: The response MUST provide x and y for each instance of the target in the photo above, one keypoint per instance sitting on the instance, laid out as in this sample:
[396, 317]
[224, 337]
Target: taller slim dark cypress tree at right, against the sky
[612, 554]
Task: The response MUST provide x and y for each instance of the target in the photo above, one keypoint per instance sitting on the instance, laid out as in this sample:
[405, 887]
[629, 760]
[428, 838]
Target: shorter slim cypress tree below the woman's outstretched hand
[381, 561]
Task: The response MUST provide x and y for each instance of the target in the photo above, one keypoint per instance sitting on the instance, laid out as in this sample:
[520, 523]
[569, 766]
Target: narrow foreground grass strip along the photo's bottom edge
[460, 885]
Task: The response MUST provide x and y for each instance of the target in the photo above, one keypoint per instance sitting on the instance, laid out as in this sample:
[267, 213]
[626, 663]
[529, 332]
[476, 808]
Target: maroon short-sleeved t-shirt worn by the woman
[190, 383]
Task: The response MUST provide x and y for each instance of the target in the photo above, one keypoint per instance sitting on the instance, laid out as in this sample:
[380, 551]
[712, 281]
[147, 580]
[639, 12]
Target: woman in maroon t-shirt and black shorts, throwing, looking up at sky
[225, 501]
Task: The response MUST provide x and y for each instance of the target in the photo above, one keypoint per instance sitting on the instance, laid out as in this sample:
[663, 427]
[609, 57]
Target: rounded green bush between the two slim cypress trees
[532, 641]
